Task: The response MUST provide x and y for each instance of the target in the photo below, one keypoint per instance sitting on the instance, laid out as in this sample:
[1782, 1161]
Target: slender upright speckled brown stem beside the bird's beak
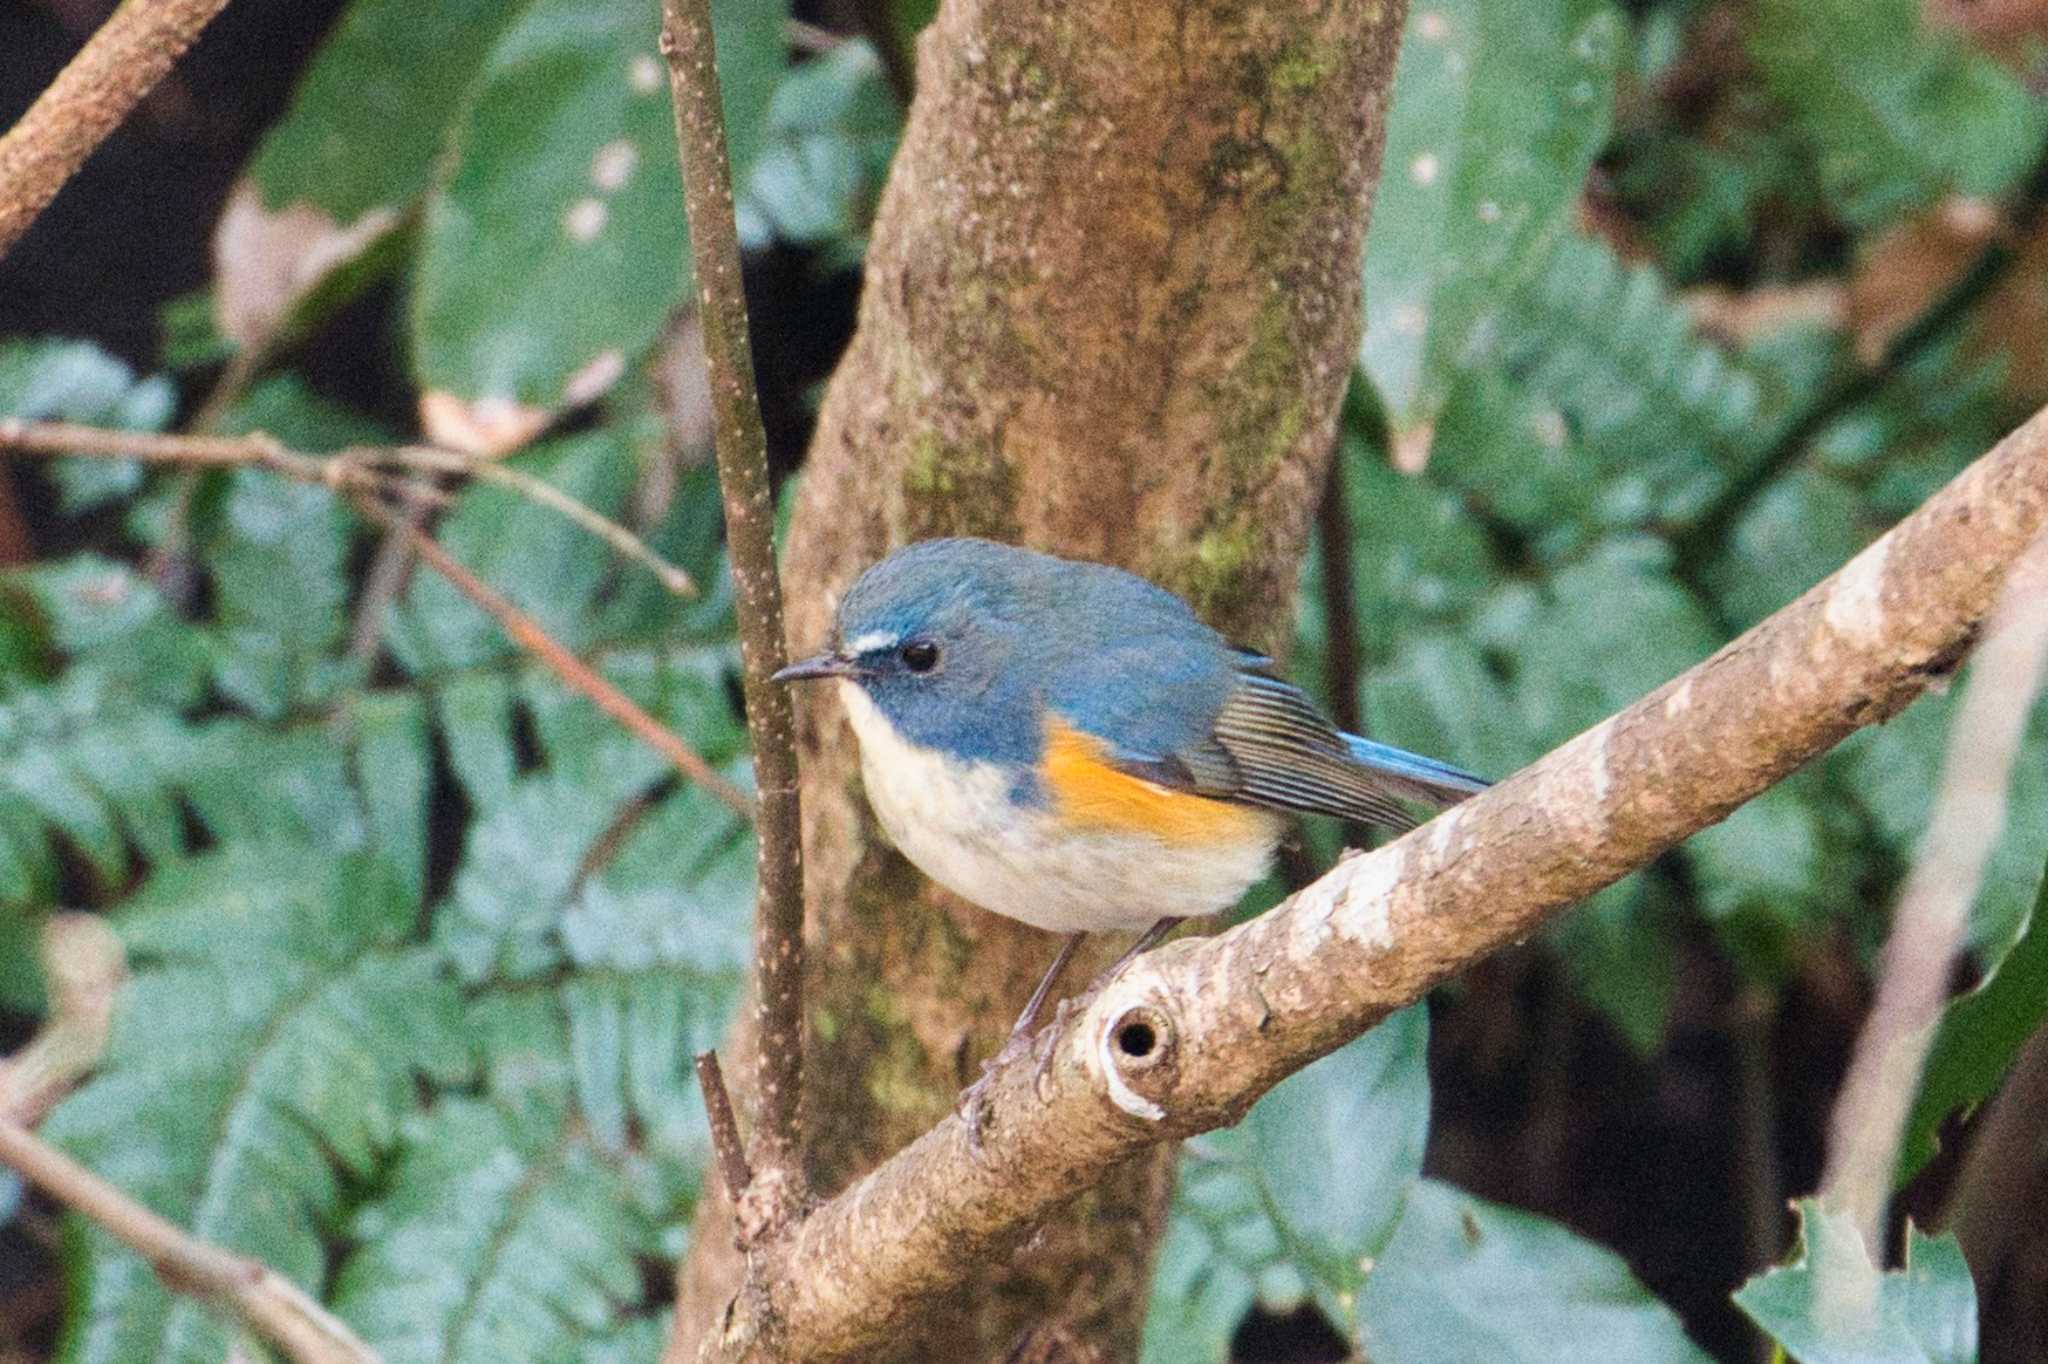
[742, 454]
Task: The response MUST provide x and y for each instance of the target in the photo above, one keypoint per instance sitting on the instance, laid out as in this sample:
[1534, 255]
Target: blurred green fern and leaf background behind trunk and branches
[1672, 306]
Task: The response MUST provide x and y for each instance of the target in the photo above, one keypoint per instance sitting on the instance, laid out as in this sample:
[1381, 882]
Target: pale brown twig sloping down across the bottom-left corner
[259, 1295]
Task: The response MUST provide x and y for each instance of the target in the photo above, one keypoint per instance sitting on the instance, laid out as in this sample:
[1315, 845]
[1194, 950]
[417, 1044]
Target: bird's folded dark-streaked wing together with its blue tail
[1271, 747]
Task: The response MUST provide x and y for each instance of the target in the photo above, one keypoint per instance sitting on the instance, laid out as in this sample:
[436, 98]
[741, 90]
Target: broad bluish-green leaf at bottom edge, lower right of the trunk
[1465, 1279]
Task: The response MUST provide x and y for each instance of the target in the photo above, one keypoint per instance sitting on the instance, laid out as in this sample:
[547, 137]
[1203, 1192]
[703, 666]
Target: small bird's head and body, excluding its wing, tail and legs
[1007, 706]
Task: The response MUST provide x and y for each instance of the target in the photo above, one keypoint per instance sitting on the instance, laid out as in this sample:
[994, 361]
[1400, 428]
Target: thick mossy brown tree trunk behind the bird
[1111, 310]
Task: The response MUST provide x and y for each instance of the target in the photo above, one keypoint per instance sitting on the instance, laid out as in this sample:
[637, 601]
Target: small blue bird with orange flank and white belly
[1070, 747]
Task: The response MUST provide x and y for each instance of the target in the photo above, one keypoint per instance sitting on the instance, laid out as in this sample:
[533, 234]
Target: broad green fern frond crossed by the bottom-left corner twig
[265, 1050]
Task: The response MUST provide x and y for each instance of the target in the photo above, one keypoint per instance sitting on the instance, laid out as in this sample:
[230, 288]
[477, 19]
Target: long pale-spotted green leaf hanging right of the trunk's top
[1496, 118]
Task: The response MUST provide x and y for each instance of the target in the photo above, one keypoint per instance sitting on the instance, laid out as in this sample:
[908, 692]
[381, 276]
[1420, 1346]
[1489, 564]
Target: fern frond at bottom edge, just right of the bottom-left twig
[495, 1240]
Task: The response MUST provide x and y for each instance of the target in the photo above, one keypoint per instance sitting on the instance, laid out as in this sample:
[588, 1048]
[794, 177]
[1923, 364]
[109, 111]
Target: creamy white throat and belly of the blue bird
[955, 820]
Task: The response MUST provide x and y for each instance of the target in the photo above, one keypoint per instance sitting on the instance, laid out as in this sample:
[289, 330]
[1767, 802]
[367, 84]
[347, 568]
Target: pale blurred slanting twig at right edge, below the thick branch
[1934, 908]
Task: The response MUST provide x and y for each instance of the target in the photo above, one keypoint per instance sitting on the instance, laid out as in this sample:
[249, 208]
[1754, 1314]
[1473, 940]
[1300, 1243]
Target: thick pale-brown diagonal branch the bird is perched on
[1191, 1035]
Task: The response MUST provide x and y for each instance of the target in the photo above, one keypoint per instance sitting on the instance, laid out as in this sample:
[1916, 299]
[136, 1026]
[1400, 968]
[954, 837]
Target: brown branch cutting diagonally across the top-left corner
[89, 101]
